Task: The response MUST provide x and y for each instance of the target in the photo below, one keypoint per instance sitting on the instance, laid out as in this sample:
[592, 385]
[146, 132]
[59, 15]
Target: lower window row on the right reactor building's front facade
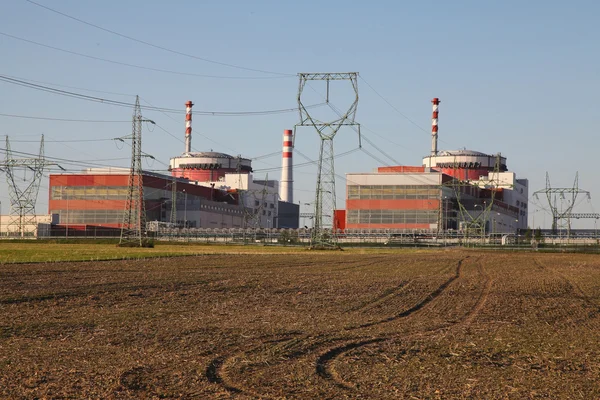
[393, 216]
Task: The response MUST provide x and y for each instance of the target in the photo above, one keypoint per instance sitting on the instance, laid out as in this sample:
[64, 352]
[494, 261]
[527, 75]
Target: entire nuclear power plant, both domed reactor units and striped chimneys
[461, 191]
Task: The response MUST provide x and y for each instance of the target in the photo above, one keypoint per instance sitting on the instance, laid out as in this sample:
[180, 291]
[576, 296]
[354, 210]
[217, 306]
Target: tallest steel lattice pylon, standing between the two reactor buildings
[324, 233]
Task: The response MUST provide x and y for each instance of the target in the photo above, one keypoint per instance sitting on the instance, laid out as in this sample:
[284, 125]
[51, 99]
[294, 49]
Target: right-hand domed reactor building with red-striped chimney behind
[453, 190]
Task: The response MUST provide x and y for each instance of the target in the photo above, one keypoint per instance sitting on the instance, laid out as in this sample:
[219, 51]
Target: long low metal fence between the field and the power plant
[385, 238]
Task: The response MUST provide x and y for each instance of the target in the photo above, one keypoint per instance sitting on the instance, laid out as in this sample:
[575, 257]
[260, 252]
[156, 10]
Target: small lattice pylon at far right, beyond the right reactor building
[561, 202]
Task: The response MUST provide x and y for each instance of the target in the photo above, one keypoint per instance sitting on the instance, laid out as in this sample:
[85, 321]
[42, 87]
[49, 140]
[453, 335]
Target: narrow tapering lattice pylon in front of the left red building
[133, 230]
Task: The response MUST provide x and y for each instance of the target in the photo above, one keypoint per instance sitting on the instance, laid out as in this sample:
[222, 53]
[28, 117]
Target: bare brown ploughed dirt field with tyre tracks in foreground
[424, 325]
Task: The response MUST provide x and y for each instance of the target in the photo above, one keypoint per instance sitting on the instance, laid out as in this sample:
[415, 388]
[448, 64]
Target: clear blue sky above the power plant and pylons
[516, 77]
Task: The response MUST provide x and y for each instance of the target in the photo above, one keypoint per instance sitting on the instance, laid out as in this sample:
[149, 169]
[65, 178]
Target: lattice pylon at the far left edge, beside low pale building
[22, 221]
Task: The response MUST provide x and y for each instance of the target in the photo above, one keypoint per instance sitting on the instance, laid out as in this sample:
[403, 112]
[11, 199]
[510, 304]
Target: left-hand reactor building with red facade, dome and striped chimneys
[203, 190]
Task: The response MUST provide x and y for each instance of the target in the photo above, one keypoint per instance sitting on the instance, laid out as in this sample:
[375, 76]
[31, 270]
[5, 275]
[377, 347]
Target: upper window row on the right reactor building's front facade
[393, 192]
